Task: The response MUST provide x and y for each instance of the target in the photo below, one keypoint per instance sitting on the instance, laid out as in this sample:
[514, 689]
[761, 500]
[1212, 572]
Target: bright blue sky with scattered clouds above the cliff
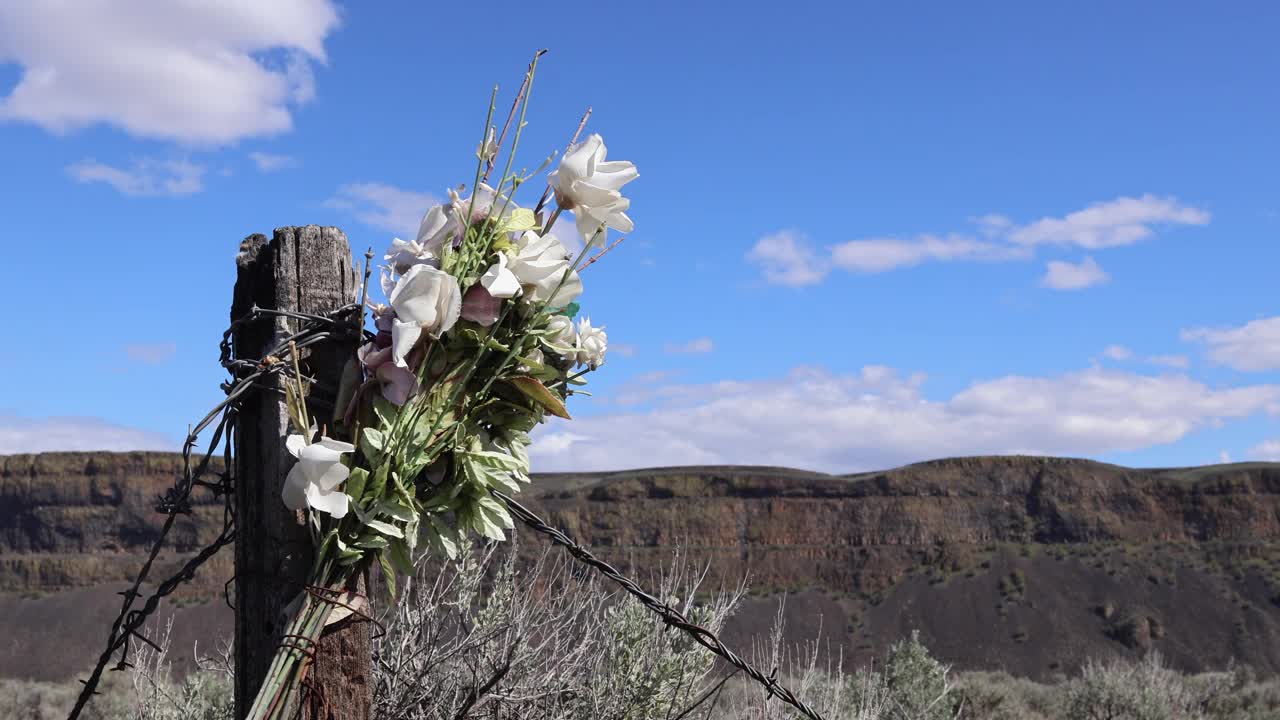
[866, 235]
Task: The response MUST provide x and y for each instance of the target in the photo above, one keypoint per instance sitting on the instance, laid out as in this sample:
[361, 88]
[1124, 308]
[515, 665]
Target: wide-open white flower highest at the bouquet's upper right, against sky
[591, 186]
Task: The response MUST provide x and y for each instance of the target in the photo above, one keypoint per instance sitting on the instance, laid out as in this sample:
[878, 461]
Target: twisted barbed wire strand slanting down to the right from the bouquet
[670, 616]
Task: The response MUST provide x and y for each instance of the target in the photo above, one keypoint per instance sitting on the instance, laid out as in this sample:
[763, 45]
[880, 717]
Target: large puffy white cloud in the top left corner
[194, 72]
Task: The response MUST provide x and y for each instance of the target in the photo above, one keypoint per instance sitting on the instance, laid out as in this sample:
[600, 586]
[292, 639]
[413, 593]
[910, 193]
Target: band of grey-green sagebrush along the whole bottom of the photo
[491, 639]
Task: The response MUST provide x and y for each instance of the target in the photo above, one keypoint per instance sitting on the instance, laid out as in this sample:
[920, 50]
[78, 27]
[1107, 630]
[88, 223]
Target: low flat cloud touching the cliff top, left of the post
[47, 435]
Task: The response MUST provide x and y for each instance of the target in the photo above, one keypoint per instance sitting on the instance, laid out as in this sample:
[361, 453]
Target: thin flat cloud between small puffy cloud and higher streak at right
[877, 256]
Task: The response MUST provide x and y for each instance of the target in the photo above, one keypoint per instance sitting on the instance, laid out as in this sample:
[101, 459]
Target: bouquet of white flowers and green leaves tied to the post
[479, 340]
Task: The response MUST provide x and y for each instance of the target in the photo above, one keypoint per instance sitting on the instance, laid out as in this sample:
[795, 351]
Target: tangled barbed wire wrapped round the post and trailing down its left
[245, 377]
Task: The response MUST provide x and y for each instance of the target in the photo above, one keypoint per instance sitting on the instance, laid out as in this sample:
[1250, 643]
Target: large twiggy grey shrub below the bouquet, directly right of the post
[481, 640]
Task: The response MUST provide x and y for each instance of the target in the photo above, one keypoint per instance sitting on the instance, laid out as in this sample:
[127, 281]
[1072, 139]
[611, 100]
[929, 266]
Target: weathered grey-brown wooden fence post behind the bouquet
[307, 270]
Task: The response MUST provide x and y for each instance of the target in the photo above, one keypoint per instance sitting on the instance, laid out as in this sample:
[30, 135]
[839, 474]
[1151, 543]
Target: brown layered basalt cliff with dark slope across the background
[1030, 564]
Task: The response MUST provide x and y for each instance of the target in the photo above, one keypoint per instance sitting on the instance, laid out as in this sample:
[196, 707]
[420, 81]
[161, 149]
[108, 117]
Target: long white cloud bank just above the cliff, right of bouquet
[877, 418]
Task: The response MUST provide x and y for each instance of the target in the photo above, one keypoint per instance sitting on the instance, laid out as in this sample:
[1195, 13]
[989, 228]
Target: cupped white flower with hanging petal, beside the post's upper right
[426, 299]
